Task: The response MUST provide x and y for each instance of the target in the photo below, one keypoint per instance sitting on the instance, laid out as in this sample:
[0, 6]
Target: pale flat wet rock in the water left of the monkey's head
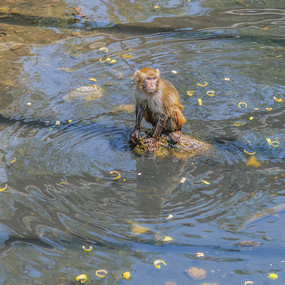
[87, 93]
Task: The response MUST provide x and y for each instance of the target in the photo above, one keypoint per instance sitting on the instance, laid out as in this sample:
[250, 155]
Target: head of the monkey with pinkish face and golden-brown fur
[148, 79]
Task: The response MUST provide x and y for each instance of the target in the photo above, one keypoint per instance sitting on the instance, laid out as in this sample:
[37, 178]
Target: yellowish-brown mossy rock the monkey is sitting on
[187, 147]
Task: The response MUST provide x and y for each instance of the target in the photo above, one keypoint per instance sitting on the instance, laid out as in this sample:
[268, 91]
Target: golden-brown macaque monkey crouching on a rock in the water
[157, 100]
